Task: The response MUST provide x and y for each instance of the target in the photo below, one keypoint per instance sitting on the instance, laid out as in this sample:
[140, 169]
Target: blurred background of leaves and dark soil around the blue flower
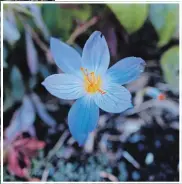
[141, 144]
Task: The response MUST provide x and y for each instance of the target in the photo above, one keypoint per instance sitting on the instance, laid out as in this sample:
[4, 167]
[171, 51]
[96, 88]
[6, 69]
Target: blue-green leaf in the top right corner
[164, 18]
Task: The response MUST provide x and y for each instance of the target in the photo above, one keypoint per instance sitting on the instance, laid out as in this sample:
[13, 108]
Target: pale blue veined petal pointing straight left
[65, 86]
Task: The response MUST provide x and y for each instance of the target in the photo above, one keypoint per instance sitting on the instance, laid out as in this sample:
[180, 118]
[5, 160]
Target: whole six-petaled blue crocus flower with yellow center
[89, 80]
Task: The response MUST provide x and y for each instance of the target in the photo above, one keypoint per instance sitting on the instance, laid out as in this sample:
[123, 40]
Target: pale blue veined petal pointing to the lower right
[116, 99]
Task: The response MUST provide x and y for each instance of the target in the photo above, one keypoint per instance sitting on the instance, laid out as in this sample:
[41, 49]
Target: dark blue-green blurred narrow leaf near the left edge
[17, 85]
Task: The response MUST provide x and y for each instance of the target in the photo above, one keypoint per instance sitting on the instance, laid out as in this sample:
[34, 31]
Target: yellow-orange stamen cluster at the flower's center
[92, 82]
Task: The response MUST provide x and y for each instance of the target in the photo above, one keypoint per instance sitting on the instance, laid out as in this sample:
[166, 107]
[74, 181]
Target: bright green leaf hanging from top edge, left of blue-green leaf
[131, 16]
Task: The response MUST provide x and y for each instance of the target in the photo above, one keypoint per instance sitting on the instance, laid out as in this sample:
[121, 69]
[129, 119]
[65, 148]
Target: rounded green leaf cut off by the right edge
[170, 67]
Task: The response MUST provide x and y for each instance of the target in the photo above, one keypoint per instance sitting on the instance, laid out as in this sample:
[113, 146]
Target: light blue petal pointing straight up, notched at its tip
[96, 55]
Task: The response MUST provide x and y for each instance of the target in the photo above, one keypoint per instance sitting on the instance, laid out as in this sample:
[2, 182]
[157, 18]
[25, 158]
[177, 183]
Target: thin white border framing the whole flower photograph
[95, 2]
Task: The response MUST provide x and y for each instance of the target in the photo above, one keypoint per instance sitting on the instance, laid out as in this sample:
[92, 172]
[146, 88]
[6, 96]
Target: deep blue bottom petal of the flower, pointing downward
[82, 118]
